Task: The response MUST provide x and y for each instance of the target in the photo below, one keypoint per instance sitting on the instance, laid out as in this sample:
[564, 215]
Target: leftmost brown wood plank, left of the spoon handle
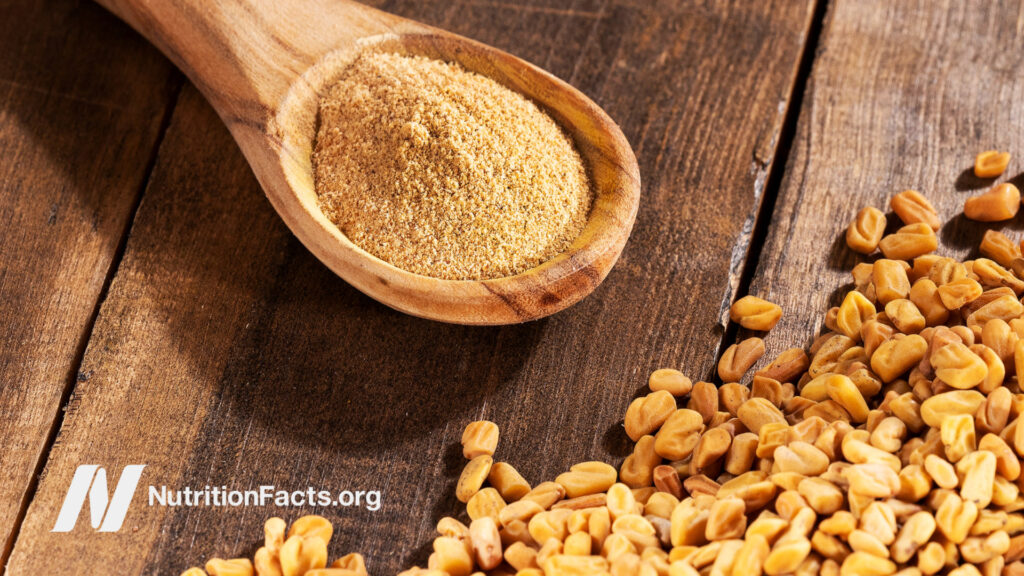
[76, 142]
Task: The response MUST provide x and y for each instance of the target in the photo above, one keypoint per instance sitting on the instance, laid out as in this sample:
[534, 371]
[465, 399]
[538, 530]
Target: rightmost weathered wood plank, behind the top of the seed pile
[903, 96]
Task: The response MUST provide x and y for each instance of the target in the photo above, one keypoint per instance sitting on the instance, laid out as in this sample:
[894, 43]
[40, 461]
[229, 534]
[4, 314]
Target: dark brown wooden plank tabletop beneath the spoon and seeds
[154, 310]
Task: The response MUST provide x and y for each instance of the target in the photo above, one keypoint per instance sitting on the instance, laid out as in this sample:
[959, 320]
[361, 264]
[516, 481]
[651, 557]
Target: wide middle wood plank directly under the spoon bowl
[227, 355]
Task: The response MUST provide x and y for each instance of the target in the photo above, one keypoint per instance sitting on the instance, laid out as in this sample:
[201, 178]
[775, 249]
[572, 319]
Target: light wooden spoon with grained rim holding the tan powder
[263, 65]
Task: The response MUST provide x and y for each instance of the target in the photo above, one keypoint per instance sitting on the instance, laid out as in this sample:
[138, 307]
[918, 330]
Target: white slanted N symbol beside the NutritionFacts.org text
[107, 513]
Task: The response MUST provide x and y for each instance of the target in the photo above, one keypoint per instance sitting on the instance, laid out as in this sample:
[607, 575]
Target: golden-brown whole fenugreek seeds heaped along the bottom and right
[892, 446]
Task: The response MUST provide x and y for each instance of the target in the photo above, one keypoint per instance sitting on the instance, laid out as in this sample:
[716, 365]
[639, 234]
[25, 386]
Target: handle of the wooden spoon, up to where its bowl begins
[245, 55]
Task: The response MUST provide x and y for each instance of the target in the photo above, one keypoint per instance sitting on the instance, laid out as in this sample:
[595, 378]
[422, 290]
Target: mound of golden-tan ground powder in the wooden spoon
[445, 173]
